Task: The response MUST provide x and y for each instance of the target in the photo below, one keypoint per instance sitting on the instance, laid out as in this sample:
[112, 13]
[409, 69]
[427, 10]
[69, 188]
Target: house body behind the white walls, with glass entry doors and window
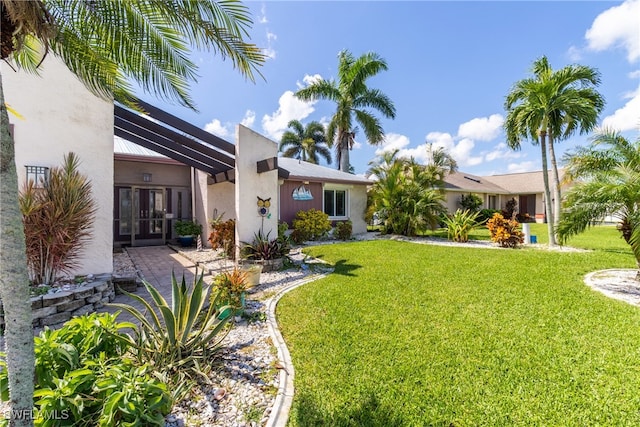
[165, 190]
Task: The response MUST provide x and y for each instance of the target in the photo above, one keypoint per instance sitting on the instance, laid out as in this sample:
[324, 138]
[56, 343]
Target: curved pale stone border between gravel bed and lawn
[284, 398]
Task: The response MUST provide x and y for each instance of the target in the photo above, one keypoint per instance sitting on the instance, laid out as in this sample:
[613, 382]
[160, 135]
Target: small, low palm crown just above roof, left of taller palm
[305, 143]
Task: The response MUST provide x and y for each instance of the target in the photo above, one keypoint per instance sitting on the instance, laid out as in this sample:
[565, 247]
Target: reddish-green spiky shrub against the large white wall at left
[57, 220]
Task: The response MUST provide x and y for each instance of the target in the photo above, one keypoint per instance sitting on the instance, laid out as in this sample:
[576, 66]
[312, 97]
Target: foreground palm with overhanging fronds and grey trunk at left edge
[107, 45]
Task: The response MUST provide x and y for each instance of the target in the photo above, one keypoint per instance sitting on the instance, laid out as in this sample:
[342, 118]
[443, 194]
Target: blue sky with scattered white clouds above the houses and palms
[450, 66]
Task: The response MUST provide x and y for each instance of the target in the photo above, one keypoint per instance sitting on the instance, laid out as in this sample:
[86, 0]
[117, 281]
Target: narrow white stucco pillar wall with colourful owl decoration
[252, 147]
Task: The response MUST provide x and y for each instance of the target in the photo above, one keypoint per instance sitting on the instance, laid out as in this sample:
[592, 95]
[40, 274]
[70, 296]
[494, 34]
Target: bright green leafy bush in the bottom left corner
[85, 376]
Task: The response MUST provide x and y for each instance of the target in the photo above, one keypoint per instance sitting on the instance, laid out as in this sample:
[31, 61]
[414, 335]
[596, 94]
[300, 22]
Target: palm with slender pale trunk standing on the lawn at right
[553, 104]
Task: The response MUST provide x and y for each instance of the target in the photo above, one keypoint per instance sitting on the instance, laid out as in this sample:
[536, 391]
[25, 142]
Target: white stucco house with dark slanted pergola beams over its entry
[173, 171]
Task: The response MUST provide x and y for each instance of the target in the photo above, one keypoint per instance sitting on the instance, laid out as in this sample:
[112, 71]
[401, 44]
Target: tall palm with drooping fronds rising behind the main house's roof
[353, 99]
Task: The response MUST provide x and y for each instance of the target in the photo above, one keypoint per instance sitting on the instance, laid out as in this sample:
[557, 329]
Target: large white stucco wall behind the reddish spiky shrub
[61, 115]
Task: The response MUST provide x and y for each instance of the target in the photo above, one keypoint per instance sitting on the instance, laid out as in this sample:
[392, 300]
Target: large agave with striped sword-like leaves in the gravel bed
[178, 339]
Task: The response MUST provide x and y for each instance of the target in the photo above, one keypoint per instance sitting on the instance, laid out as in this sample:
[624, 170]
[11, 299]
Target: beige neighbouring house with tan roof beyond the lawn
[526, 188]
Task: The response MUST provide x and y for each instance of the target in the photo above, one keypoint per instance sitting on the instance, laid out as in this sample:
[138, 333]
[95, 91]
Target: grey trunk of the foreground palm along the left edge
[14, 282]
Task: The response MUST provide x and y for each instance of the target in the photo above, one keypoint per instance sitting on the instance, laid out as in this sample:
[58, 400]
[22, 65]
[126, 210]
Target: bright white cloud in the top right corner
[617, 27]
